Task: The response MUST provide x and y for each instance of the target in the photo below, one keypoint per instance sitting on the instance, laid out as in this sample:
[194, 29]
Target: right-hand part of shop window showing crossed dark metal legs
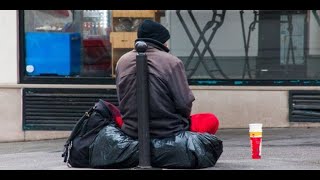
[250, 44]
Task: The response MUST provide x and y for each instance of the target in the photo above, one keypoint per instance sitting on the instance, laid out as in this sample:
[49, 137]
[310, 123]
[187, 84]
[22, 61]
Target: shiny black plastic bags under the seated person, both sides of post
[114, 149]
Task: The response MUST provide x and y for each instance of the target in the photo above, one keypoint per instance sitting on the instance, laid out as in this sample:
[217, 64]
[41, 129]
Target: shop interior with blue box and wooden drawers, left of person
[79, 43]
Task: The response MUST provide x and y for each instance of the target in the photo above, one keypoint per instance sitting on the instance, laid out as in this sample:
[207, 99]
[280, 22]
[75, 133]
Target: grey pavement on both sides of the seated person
[282, 149]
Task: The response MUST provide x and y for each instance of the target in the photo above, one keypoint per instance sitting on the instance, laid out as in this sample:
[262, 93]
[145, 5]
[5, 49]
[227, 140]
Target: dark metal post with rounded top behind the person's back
[143, 105]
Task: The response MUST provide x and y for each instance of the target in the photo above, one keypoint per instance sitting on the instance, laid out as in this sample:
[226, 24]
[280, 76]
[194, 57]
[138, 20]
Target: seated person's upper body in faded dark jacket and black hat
[170, 96]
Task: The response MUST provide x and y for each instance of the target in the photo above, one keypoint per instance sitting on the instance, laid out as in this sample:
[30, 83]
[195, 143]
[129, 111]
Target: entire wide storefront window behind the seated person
[229, 46]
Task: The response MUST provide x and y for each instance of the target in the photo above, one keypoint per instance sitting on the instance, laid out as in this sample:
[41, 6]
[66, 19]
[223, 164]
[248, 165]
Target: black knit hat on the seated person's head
[153, 30]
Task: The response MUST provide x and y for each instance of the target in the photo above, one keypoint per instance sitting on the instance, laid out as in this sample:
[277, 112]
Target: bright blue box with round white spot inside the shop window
[53, 53]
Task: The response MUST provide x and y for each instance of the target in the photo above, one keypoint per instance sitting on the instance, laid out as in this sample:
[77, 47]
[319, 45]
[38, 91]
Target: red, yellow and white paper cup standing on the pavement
[255, 132]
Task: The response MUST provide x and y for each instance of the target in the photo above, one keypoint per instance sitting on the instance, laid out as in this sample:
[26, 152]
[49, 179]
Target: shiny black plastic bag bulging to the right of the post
[186, 150]
